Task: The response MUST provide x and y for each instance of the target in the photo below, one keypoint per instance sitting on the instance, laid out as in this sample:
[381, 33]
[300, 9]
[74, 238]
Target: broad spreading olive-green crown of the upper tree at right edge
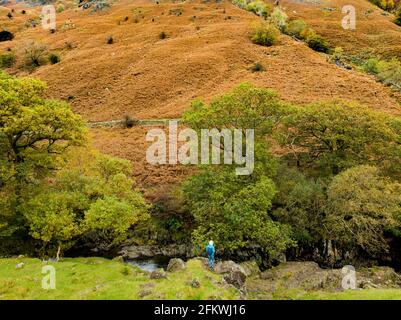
[336, 135]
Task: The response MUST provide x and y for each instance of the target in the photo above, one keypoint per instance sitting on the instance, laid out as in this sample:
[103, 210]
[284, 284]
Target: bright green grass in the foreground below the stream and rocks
[98, 278]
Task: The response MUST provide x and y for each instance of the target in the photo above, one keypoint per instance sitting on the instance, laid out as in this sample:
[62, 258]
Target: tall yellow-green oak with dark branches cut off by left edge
[34, 133]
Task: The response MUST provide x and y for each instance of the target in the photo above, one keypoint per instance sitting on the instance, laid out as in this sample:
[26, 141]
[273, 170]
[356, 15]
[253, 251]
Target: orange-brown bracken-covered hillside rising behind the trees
[207, 51]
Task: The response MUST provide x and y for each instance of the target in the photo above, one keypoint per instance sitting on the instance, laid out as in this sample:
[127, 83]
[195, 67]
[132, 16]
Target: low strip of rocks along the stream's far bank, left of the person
[148, 251]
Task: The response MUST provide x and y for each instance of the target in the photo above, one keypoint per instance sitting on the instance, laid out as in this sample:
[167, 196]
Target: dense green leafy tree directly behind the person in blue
[234, 211]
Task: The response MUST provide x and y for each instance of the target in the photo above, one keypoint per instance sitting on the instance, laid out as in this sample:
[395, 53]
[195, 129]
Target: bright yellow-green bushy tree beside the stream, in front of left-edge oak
[92, 198]
